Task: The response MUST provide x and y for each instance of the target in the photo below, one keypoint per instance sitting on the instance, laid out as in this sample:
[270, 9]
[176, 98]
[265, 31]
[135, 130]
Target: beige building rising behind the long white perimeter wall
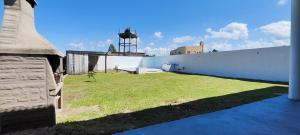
[188, 50]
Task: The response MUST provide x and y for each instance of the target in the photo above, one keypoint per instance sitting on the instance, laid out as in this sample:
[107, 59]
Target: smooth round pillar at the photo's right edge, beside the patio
[294, 84]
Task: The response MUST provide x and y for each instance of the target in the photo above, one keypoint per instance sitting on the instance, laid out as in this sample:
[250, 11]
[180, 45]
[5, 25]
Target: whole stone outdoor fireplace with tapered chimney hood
[31, 78]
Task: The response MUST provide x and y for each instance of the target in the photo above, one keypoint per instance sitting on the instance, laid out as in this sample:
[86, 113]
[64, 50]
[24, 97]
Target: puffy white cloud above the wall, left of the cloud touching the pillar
[233, 31]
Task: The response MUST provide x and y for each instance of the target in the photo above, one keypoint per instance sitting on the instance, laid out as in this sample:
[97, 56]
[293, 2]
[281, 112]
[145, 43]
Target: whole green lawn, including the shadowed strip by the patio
[120, 101]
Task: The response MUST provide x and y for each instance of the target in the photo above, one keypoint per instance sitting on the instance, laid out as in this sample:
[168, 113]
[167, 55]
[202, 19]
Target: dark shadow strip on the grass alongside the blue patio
[126, 121]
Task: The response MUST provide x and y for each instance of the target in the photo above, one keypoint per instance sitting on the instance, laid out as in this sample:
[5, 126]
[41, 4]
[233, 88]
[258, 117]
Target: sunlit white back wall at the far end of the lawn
[120, 61]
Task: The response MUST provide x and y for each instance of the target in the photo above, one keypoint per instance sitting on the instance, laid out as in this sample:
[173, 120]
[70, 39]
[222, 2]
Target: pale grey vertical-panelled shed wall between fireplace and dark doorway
[77, 64]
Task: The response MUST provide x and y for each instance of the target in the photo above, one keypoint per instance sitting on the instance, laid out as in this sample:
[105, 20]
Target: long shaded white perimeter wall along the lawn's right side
[271, 64]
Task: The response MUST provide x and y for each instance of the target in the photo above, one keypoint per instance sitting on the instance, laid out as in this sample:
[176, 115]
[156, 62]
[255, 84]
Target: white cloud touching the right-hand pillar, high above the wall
[281, 29]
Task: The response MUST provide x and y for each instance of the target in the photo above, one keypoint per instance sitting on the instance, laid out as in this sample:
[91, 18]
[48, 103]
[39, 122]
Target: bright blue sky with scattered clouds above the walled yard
[163, 25]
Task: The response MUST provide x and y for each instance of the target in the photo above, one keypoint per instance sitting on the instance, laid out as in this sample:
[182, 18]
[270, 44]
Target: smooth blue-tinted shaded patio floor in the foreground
[276, 116]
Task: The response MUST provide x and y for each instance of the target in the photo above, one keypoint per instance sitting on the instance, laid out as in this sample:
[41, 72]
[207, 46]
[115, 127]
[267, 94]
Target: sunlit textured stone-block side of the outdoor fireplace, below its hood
[22, 82]
